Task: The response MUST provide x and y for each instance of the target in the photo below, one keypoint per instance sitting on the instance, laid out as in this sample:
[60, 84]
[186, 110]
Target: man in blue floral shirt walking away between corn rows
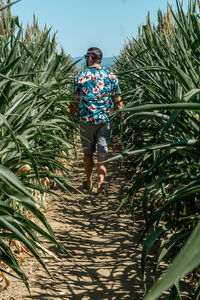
[96, 92]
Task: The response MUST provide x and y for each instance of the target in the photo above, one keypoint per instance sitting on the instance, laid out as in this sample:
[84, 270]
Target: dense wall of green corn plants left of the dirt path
[35, 91]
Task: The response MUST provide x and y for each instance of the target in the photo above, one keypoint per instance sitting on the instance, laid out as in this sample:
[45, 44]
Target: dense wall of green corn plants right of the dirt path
[159, 74]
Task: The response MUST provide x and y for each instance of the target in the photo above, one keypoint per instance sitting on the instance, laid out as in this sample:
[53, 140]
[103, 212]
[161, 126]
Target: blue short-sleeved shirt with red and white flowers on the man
[96, 86]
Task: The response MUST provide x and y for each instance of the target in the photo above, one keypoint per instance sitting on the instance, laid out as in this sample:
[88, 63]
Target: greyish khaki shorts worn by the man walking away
[93, 135]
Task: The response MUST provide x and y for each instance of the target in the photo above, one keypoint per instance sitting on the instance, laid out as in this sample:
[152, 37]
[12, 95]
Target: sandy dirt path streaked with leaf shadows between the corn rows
[105, 262]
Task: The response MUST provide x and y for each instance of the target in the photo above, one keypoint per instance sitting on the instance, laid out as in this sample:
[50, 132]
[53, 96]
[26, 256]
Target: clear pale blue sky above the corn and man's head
[85, 23]
